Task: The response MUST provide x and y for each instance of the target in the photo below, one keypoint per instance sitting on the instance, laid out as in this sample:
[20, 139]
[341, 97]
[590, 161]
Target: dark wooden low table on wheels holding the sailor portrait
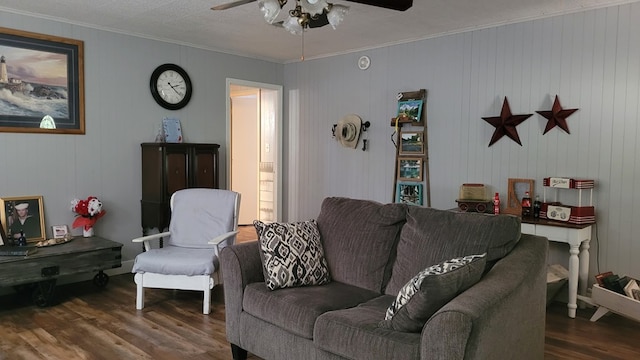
[47, 264]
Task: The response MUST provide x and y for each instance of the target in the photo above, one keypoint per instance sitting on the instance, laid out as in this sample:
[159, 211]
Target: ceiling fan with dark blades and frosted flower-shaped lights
[312, 13]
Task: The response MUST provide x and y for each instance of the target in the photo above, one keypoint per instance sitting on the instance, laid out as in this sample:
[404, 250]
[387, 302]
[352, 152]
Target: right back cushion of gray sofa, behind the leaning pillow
[431, 236]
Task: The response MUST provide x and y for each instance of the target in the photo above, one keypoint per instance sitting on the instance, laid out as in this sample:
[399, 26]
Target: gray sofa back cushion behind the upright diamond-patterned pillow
[359, 239]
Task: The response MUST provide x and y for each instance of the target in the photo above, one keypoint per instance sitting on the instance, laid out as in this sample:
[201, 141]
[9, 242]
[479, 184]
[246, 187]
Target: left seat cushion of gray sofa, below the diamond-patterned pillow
[296, 309]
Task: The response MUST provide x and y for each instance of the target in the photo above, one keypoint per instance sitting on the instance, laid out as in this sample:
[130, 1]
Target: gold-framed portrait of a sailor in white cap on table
[25, 215]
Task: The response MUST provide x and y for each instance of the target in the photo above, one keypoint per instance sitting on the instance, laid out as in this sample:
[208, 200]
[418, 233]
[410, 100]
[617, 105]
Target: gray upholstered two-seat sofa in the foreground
[372, 250]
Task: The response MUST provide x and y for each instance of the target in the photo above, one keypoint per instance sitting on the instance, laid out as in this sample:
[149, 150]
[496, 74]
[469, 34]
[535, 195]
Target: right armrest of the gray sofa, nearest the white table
[501, 317]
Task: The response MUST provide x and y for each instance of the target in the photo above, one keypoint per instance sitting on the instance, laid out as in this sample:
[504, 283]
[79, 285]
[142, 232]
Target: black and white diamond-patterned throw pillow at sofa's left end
[291, 254]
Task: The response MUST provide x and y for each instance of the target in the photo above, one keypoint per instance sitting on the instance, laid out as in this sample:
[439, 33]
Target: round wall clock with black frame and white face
[171, 86]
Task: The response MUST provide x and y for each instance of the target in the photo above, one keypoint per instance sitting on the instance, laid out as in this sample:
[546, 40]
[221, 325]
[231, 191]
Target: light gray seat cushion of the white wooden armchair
[170, 260]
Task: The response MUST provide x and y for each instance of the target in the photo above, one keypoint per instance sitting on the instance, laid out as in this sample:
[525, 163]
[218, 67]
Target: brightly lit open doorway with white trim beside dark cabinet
[254, 118]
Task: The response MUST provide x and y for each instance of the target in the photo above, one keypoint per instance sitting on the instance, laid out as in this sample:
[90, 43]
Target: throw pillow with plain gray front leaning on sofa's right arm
[431, 289]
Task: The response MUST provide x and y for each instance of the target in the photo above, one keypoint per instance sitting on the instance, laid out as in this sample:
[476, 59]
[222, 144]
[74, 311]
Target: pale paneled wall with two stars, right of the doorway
[591, 60]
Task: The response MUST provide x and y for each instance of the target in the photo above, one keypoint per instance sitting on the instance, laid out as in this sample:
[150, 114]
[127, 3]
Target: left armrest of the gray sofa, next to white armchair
[240, 265]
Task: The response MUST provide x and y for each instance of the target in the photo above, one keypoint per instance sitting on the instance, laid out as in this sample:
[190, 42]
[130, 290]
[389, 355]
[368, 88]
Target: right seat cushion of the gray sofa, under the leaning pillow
[338, 332]
